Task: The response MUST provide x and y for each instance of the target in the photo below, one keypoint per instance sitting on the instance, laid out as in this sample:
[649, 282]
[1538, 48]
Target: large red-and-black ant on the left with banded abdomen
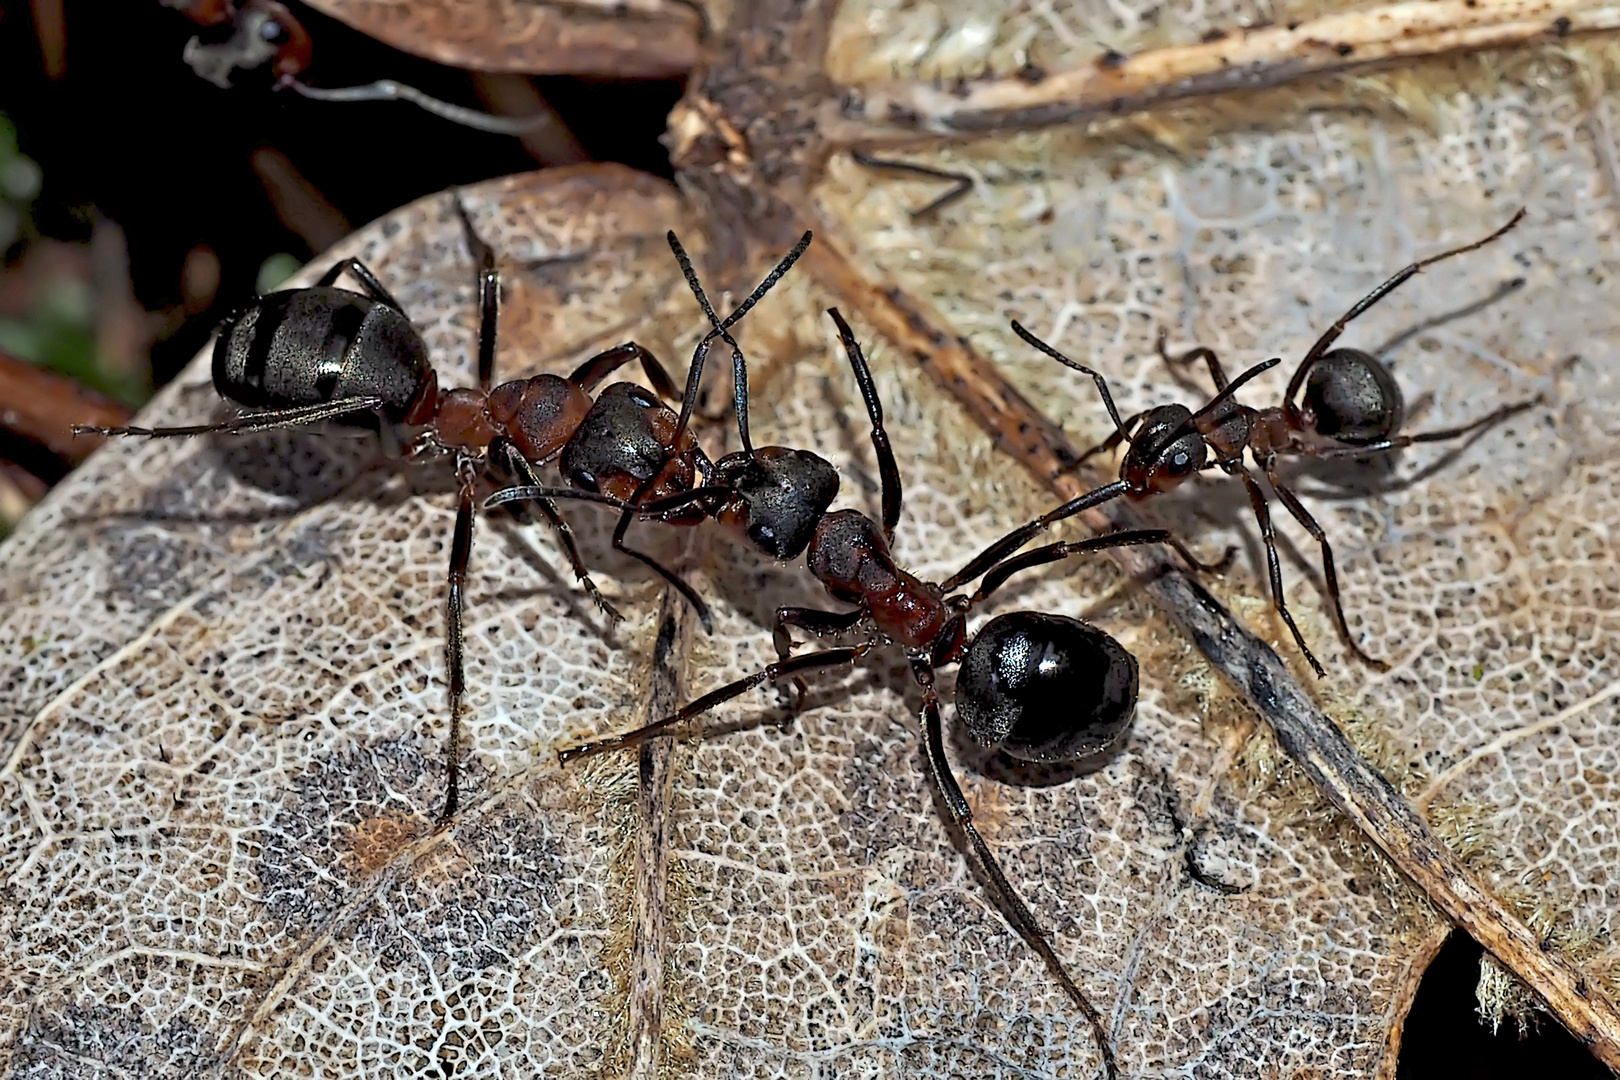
[309, 355]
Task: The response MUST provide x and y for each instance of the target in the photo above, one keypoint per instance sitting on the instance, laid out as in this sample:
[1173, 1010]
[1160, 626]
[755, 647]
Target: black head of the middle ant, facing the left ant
[778, 498]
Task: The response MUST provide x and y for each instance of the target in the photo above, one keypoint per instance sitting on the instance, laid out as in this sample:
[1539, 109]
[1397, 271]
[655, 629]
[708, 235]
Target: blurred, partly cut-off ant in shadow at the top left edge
[254, 35]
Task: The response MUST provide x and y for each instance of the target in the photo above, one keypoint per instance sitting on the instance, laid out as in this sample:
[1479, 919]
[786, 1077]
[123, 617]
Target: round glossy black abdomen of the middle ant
[1046, 687]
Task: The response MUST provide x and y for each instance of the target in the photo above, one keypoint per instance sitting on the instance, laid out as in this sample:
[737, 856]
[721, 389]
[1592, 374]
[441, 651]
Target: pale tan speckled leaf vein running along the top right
[1237, 61]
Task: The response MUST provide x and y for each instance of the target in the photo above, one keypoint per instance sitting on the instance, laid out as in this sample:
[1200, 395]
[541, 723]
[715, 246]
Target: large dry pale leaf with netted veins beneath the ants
[229, 695]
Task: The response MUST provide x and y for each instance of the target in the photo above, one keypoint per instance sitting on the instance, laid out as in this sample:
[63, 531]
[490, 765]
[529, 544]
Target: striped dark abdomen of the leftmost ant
[312, 346]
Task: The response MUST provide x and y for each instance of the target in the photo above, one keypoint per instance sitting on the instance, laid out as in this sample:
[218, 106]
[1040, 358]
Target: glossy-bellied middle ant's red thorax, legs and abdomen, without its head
[1038, 687]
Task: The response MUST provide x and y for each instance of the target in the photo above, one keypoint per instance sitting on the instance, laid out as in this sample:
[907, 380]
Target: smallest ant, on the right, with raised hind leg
[1350, 409]
